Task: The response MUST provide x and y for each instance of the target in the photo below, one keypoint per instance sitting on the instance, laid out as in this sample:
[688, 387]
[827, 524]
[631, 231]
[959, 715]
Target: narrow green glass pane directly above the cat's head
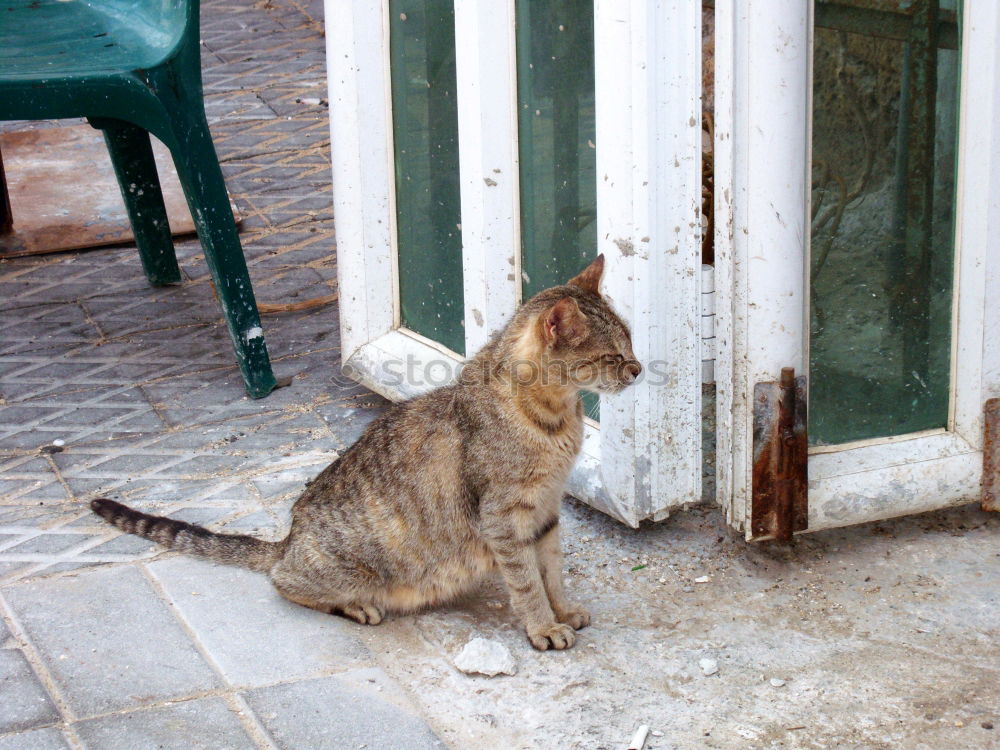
[555, 92]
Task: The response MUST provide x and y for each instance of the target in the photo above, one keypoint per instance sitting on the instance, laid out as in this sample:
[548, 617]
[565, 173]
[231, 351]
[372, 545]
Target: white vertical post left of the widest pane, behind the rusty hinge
[762, 53]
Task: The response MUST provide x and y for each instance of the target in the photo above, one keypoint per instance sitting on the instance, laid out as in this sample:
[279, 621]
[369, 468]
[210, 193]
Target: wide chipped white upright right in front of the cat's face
[648, 72]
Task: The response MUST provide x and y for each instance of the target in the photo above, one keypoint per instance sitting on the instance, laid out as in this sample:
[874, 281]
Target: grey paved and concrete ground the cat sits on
[885, 635]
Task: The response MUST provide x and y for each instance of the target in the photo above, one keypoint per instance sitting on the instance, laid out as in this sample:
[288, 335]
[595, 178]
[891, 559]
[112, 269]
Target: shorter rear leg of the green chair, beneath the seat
[132, 157]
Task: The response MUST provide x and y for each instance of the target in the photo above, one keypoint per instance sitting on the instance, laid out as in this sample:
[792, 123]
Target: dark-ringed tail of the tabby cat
[229, 549]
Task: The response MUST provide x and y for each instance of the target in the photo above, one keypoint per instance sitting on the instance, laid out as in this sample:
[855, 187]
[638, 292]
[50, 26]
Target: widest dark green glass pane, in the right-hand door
[885, 110]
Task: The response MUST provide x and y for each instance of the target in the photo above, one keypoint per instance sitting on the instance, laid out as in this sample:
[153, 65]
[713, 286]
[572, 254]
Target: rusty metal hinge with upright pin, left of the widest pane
[780, 500]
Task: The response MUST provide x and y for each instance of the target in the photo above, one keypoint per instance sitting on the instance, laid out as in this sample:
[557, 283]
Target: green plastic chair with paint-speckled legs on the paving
[133, 67]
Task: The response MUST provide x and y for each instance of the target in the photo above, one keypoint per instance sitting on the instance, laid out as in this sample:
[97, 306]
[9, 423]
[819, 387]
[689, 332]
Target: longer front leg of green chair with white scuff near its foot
[205, 189]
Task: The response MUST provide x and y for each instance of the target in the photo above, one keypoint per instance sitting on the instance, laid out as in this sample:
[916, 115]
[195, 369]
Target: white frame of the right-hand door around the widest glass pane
[762, 120]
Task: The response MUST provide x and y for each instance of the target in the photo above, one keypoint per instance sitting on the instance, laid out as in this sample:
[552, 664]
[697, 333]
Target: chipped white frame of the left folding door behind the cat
[645, 457]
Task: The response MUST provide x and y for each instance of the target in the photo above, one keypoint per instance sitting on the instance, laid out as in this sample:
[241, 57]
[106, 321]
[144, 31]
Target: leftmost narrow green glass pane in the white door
[425, 138]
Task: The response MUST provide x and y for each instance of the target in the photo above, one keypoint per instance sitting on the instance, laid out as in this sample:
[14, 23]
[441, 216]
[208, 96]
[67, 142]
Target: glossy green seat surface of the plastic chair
[42, 40]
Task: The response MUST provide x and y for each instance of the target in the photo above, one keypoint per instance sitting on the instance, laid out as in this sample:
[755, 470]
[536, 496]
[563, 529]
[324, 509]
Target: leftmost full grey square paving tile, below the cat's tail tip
[109, 642]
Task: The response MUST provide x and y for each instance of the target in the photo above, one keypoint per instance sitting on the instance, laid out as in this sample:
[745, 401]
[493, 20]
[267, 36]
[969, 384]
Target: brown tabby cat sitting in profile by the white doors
[445, 488]
